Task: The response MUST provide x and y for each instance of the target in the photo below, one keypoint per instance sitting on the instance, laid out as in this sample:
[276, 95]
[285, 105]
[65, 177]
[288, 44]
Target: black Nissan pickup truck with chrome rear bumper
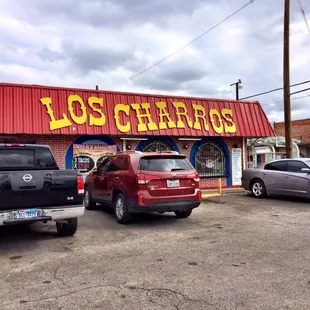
[33, 188]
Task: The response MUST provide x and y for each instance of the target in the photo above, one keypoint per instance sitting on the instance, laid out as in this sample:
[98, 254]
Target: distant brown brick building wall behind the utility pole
[300, 129]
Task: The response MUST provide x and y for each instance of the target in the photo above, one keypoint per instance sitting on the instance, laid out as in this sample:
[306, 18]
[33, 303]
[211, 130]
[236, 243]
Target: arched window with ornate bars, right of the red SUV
[210, 160]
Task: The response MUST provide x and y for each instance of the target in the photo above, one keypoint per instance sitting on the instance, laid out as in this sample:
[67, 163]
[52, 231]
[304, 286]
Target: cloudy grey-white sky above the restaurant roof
[79, 43]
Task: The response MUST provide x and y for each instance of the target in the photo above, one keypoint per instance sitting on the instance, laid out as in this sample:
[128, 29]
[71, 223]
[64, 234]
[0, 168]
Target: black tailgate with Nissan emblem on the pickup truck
[38, 188]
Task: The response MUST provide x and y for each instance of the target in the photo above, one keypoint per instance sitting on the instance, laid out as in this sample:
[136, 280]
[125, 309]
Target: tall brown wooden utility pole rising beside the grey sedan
[286, 79]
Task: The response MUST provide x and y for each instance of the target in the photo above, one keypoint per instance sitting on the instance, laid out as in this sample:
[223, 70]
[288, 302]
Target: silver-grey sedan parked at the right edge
[289, 177]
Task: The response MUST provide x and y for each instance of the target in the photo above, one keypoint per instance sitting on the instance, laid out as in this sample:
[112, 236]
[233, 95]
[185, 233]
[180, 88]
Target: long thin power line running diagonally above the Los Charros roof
[185, 46]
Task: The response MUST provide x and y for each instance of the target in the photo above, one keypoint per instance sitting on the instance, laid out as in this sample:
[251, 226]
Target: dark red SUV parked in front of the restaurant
[136, 182]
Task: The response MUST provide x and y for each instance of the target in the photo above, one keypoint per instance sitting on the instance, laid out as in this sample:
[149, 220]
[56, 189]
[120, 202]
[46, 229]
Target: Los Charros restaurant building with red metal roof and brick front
[212, 133]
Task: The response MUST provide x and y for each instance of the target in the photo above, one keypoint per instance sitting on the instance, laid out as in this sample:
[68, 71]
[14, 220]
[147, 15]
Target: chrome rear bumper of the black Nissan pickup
[43, 214]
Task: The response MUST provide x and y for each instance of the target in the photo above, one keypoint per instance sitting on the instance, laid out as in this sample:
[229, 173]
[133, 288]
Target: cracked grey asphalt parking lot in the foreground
[239, 253]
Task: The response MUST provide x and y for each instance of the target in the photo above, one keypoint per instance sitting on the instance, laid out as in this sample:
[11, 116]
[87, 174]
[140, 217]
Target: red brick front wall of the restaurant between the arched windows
[59, 145]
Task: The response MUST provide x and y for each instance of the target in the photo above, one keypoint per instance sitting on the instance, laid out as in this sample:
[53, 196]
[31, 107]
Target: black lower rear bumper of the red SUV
[164, 206]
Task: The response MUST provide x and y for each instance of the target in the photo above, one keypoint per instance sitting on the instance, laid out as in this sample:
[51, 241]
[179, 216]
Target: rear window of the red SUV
[164, 163]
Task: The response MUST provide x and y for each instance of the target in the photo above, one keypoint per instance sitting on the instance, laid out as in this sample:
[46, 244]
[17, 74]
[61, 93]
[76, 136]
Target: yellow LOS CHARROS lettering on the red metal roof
[77, 112]
